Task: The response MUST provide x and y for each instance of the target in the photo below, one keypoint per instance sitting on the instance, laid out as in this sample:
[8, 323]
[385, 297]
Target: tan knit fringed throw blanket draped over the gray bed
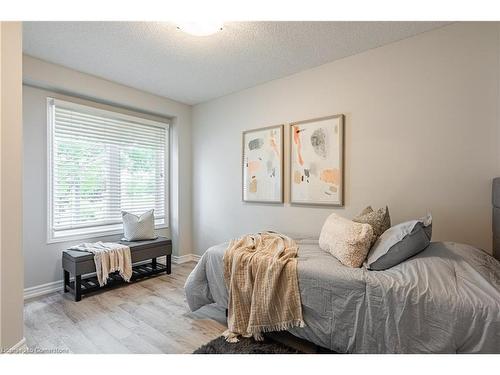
[260, 271]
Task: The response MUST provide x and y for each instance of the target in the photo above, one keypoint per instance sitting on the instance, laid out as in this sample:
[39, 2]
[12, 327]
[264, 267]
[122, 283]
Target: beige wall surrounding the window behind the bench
[42, 260]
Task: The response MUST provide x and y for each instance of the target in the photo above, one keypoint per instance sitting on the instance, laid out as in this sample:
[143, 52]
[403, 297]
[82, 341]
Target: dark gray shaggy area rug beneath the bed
[245, 346]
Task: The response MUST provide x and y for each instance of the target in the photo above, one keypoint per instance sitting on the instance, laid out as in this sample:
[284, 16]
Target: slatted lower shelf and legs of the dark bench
[89, 284]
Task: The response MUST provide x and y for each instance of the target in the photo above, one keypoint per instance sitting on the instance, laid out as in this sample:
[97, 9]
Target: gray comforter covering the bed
[444, 300]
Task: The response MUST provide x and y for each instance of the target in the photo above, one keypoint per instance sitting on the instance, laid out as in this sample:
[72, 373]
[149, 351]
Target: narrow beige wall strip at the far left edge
[11, 258]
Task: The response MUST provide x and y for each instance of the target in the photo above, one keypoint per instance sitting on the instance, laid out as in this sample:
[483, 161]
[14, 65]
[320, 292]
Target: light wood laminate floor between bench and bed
[149, 316]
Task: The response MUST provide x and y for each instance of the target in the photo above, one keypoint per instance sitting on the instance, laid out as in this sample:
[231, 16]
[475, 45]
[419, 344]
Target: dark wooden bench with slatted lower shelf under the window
[80, 263]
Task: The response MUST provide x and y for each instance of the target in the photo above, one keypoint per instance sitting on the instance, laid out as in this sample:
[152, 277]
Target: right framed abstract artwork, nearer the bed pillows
[316, 161]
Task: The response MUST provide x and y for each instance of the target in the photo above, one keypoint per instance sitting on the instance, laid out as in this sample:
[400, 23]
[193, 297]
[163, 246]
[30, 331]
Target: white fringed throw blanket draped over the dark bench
[108, 257]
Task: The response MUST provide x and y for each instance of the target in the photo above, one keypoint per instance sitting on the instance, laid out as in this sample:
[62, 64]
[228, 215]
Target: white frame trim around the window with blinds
[97, 231]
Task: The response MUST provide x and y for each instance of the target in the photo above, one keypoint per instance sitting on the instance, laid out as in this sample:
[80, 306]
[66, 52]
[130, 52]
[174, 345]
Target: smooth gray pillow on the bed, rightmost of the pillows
[399, 243]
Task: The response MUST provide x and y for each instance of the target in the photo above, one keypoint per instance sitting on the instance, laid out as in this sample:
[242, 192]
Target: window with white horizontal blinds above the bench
[100, 163]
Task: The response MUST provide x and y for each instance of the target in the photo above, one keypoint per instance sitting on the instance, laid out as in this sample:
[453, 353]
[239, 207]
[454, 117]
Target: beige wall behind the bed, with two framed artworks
[422, 134]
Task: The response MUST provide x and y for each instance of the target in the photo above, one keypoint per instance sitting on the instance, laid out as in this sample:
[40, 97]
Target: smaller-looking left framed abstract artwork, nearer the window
[263, 165]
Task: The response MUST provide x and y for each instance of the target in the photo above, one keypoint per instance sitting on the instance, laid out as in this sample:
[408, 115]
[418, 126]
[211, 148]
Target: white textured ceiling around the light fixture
[158, 58]
